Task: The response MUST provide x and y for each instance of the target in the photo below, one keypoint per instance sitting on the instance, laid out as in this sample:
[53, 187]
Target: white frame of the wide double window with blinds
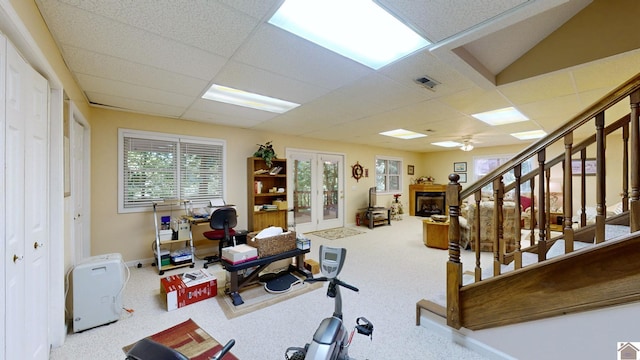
[178, 140]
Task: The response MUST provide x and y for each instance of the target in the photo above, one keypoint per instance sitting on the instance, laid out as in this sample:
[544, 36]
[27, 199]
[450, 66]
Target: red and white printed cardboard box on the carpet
[180, 291]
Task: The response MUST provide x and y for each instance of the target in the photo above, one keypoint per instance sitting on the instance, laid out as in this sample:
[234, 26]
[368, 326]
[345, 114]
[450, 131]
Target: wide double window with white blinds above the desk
[154, 166]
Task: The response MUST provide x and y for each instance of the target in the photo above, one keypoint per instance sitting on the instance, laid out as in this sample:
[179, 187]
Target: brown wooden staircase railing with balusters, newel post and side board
[540, 290]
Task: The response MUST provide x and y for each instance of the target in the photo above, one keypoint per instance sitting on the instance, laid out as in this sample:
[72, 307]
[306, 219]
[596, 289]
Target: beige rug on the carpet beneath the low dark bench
[256, 298]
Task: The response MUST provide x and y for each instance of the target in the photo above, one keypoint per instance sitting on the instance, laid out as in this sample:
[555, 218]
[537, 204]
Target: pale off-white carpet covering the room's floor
[389, 264]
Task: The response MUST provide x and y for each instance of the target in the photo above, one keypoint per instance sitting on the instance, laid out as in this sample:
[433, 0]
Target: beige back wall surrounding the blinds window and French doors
[132, 234]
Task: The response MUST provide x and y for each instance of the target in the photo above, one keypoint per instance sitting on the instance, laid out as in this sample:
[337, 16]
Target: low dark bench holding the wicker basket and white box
[236, 282]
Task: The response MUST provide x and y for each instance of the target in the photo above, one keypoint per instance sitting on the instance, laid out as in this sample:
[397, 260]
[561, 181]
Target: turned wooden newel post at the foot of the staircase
[454, 266]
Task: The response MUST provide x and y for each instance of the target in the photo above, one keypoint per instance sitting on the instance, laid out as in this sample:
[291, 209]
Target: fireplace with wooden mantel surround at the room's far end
[427, 200]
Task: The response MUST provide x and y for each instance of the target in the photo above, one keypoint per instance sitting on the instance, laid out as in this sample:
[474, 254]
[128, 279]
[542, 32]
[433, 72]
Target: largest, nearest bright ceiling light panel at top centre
[358, 29]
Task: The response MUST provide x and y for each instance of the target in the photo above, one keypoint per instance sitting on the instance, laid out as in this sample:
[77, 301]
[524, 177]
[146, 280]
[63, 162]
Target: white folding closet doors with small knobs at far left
[26, 211]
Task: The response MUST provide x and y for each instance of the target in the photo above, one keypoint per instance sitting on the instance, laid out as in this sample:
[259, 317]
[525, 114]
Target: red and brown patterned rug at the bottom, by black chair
[189, 339]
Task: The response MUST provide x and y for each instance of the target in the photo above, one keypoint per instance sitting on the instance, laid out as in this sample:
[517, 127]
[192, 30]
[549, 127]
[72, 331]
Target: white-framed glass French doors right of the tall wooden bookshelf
[316, 189]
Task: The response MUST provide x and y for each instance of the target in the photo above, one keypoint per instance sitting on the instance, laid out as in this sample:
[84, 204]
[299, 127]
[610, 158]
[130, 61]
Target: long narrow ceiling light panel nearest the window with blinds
[242, 98]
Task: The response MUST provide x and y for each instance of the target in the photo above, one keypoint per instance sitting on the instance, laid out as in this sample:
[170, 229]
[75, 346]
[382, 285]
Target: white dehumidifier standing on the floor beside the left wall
[97, 283]
